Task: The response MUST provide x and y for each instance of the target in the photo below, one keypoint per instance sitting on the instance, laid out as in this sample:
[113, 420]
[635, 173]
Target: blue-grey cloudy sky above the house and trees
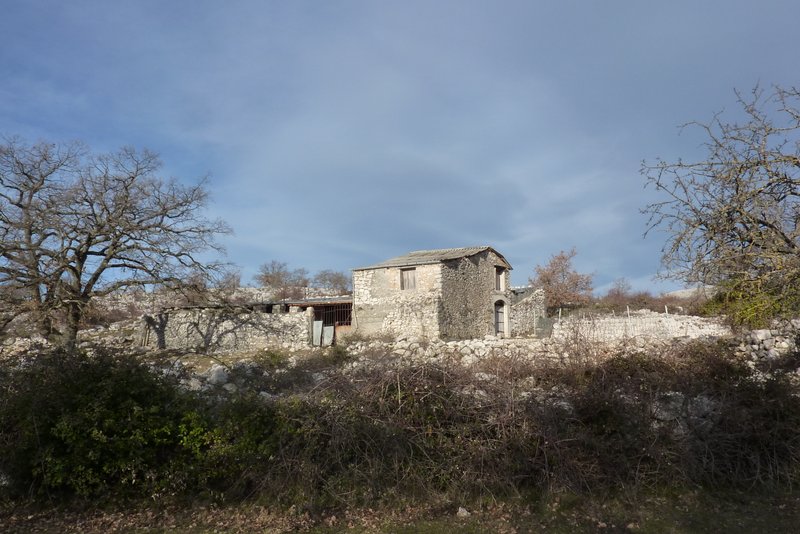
[337, 134]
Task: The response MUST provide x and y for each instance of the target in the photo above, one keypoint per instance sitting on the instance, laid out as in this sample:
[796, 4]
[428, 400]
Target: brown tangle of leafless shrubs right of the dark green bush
[394, 431]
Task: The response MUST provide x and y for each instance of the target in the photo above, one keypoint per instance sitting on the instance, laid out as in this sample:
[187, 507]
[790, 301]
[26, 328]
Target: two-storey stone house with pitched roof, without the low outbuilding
[455, 293]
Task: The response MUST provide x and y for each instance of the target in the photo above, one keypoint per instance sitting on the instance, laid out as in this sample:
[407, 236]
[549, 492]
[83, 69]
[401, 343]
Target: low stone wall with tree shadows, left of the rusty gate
[219, 330]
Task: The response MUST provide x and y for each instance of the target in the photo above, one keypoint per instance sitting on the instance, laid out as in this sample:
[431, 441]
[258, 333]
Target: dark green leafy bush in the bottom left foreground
[71, 424]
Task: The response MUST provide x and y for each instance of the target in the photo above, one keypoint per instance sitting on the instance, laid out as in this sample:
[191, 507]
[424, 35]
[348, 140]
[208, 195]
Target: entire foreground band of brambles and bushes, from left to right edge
[79, 427]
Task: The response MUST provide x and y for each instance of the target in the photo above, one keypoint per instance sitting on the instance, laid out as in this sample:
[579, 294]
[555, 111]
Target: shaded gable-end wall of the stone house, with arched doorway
[469, 295]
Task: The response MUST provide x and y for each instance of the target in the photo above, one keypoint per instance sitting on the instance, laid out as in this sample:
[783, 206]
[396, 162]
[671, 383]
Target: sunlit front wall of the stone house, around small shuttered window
[380, 307]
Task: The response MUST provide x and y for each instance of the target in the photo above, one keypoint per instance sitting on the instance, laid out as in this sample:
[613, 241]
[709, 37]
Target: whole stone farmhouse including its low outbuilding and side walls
[446, 294]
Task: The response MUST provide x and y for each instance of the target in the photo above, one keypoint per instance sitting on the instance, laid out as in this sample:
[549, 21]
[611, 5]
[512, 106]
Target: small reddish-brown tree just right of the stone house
[563, 286]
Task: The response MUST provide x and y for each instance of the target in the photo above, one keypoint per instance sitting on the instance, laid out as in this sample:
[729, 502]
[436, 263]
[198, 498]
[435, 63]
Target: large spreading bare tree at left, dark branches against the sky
[75, 226]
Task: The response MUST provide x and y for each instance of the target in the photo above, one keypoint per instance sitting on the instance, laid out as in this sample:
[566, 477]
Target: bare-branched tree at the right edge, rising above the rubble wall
[733, 218]
